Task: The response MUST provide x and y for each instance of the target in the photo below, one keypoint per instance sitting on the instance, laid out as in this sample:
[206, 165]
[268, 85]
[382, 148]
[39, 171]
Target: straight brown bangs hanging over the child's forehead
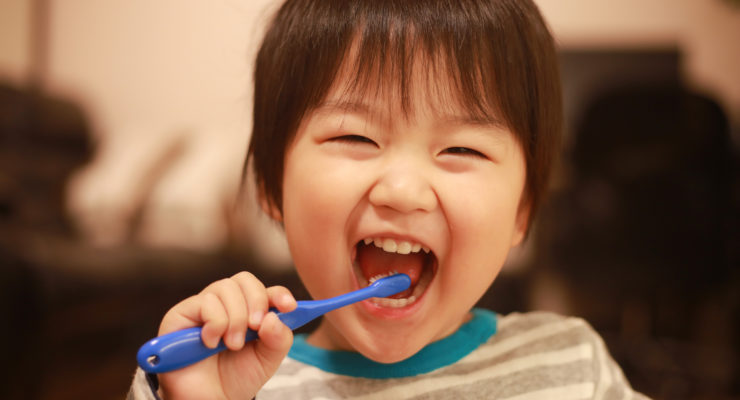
[395, 57]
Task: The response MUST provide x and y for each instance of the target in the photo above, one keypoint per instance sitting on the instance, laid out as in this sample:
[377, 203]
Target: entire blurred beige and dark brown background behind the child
[123, 127]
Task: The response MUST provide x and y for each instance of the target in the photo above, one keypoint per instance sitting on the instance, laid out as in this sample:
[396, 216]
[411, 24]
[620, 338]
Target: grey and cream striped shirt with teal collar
[527, 356]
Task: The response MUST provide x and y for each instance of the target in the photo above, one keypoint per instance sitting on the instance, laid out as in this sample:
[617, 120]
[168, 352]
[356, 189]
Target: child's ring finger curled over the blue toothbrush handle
[230, 294]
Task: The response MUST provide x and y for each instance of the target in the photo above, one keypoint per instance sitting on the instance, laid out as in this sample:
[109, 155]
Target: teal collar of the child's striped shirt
[435, 355]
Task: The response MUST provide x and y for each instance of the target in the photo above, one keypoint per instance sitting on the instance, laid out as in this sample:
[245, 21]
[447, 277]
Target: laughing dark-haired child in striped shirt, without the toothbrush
[409, 136]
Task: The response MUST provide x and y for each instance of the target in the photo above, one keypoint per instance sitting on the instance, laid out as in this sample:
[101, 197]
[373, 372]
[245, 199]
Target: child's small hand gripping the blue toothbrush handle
[225, 309]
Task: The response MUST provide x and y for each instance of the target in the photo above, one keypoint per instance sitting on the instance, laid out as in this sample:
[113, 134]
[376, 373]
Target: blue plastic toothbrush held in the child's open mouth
[181, 348]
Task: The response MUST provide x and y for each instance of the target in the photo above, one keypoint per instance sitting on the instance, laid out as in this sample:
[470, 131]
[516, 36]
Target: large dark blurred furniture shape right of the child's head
[644, 228]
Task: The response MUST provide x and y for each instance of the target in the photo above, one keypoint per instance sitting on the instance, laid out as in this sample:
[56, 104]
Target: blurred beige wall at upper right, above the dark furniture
[705, 31]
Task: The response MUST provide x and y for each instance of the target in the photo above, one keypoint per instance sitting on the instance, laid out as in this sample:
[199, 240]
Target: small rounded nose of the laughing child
[403, 187]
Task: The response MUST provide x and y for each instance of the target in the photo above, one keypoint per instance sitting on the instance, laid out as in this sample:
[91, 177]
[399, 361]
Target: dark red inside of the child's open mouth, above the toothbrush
[374, 261]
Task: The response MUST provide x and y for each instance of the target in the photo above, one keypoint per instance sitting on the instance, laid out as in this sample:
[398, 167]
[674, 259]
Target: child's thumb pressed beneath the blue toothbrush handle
[274, 343]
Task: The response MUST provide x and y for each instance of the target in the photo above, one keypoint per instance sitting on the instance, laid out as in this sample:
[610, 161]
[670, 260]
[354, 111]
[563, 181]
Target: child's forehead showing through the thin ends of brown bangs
[421, 83]
